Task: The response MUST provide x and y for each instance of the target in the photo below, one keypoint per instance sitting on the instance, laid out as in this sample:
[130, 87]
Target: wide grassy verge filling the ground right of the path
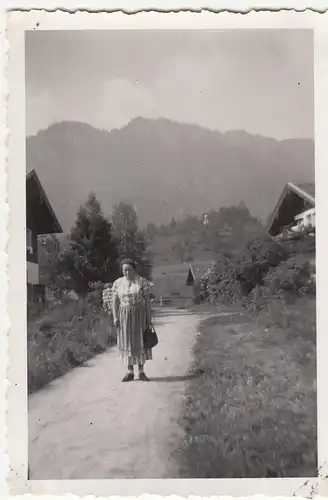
[253, 411]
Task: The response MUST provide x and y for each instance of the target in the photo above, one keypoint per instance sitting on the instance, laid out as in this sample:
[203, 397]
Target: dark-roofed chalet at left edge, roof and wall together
[40, 220]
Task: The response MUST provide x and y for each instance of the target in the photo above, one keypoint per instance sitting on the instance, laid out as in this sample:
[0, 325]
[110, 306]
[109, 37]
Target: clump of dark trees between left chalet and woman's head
[94, 248]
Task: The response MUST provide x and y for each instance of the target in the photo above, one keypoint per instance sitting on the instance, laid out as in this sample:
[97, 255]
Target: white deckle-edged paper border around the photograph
[12, 252]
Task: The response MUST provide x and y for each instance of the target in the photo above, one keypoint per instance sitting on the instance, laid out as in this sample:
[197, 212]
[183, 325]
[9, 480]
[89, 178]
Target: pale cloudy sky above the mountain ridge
[259, 81]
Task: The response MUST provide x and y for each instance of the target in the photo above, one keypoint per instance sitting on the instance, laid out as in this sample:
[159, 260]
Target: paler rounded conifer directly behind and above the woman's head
[131, 241]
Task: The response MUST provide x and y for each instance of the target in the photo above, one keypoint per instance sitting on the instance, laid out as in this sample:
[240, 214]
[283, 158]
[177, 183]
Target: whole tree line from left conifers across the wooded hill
[96, 245]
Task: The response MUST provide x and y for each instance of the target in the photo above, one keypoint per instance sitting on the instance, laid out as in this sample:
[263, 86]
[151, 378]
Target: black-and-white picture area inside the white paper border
[171, 326]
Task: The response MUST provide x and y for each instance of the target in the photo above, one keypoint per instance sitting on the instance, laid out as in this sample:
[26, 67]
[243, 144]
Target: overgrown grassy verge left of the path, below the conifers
[65, 337]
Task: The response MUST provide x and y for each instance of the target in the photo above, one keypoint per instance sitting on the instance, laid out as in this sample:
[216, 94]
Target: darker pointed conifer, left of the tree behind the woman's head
[92, 254]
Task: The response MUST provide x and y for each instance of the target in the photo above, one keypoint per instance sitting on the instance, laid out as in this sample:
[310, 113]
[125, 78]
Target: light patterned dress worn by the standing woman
[129, 301]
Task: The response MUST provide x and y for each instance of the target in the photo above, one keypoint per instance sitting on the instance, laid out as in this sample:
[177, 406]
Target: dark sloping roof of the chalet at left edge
[39, 212]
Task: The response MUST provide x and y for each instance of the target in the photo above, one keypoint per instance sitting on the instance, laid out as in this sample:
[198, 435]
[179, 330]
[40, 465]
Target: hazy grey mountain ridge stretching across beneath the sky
[164, 168]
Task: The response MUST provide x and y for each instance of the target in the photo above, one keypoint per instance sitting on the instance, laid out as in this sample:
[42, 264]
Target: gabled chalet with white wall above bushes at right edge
[294, 211]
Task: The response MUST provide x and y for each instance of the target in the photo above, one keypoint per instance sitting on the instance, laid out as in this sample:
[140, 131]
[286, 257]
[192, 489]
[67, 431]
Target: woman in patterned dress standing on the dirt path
[132, 315]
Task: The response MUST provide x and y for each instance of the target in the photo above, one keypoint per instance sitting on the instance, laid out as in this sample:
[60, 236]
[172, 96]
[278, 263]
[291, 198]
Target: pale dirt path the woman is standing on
[90, 425]
